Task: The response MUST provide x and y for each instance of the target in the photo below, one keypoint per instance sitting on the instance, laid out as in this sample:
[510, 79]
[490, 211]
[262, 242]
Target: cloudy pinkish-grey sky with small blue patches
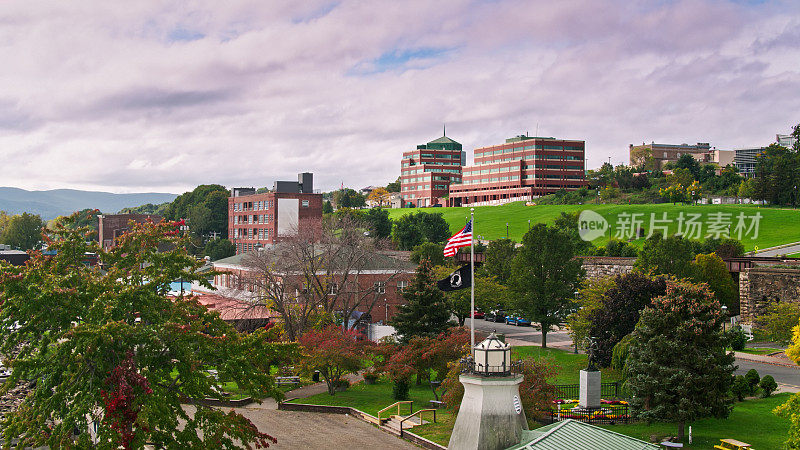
[162, 96]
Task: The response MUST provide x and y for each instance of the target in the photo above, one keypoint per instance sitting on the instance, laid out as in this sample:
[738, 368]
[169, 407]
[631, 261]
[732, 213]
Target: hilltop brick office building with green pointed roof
[427, 172]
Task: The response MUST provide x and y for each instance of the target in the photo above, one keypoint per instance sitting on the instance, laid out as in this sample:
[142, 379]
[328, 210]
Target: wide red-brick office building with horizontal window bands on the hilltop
[520, 169]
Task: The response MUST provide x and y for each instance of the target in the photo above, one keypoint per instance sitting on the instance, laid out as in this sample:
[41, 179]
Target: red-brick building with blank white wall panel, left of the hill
[261, 219]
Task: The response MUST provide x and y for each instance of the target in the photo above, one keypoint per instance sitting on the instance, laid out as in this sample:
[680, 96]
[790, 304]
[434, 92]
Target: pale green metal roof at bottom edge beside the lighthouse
[573, 435]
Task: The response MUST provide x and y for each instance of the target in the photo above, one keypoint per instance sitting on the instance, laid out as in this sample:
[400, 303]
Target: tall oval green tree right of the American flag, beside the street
[545, 276]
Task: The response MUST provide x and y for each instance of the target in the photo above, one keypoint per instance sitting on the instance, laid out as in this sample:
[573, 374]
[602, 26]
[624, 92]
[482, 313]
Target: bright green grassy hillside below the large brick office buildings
[775, 228]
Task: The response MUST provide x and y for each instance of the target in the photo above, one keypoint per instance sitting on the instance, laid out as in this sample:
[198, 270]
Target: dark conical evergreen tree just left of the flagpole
[426, 312]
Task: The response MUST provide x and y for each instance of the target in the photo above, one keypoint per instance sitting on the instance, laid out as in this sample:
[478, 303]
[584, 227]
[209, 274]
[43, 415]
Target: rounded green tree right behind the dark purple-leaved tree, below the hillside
[666, 256]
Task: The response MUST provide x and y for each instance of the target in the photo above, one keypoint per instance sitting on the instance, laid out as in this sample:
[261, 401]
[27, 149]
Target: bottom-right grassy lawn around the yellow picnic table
[751, 421]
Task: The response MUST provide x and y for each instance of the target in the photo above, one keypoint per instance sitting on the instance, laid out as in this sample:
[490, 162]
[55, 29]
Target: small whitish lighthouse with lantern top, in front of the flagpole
[491, 415]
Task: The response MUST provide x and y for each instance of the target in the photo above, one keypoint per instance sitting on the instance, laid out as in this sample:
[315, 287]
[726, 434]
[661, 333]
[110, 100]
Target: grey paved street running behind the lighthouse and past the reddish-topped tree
[788, 376]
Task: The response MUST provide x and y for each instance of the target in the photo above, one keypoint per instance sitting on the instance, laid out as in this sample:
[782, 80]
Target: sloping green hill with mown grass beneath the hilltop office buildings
[776, 226]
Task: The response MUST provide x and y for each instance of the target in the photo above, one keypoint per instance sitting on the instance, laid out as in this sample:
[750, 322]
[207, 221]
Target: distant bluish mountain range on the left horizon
[61, 202]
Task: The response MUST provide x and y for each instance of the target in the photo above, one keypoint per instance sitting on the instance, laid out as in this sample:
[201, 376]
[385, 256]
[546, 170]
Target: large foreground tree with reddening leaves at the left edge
[110, 348]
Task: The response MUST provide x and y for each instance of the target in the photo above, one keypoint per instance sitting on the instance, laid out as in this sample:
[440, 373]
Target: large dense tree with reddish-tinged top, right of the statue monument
[678, 369]
